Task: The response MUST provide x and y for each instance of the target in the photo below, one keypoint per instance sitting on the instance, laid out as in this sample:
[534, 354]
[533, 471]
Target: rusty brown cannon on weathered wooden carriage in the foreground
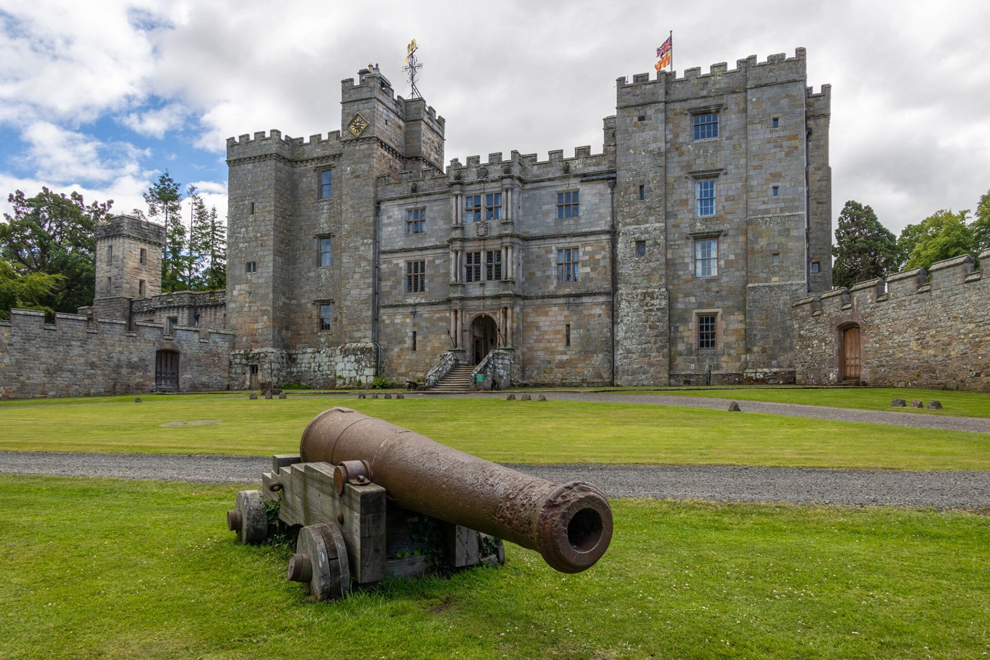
[374, 500]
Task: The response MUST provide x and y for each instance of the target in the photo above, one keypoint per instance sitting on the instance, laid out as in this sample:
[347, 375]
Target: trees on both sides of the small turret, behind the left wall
[48, 246]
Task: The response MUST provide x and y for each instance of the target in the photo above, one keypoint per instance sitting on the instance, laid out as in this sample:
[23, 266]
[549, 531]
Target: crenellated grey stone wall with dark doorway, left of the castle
[74, 358]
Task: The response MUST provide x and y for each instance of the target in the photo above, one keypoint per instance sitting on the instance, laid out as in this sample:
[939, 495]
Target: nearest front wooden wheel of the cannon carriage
[320, 561]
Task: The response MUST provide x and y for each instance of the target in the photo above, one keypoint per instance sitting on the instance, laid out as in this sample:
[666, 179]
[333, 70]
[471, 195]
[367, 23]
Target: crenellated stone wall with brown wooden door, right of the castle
[917, 329]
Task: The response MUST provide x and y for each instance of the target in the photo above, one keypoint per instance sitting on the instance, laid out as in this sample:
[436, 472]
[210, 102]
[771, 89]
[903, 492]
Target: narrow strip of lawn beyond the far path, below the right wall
[960, 404]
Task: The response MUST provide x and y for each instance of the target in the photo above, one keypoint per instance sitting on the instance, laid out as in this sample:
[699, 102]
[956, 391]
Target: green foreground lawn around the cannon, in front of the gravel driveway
[121, 569]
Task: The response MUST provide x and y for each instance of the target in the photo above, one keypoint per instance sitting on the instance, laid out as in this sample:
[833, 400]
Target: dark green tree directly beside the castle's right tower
[864, 248]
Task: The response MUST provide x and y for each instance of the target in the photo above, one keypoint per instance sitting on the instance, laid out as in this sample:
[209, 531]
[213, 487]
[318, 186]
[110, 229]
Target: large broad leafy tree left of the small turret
[52, 234]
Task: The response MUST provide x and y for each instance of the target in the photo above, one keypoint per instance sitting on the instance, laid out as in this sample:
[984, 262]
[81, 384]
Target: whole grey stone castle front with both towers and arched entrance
[631, 314]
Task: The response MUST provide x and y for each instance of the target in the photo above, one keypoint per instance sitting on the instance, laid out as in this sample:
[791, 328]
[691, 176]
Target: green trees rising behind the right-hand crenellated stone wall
[865, 249]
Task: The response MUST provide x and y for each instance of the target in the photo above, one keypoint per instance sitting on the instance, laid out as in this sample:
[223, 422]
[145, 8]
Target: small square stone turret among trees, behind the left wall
[128, 264]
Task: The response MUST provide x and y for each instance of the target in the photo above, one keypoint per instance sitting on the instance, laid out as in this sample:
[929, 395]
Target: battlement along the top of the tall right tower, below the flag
[749, 73]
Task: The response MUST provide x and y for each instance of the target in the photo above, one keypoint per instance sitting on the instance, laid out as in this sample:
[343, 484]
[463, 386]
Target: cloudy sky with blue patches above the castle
[101, 97]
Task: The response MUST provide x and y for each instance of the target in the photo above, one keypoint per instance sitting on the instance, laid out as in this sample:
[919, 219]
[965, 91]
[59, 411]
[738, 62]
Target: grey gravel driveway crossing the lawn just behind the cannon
[716, 482]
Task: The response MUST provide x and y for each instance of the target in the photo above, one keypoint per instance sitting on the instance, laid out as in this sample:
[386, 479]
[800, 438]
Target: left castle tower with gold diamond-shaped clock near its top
[302, 233]
